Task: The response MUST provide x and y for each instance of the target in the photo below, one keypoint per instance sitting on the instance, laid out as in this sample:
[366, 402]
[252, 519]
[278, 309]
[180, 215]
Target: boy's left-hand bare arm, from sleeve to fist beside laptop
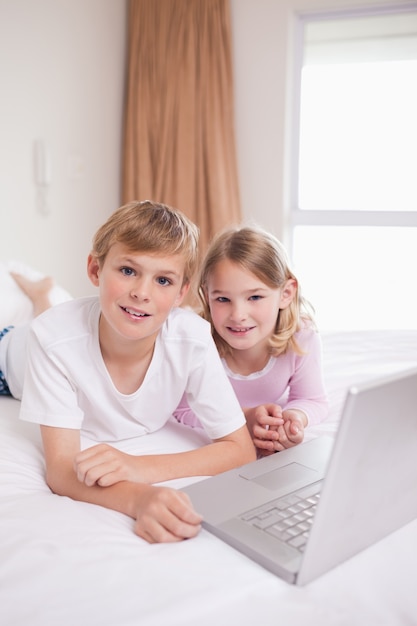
[160, 514]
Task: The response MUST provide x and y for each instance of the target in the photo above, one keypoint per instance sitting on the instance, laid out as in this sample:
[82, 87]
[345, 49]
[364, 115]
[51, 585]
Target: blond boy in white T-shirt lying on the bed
[115, 366]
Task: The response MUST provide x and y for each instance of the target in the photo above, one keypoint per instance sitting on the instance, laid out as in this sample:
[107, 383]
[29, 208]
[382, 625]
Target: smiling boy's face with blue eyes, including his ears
[137, 291]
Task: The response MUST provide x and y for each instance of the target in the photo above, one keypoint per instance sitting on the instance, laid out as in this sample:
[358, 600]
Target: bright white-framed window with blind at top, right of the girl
[354, 188]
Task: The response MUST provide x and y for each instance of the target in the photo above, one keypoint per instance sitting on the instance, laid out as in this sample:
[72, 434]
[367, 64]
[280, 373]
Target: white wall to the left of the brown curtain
[61, 80]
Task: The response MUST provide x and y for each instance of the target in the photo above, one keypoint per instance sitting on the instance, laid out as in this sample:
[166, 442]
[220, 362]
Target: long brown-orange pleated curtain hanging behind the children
[179, 145]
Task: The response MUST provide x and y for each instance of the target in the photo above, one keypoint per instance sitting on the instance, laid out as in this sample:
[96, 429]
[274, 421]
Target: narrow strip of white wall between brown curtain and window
[263, 47]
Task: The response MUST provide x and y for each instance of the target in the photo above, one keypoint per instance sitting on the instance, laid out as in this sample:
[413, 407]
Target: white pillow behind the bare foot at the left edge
[15, 307]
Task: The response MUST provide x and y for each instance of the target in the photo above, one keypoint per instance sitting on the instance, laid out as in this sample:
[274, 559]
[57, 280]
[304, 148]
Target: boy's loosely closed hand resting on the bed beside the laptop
[166, 515]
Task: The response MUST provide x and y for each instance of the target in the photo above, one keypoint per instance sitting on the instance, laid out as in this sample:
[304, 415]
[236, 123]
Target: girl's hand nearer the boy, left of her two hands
[264, 422]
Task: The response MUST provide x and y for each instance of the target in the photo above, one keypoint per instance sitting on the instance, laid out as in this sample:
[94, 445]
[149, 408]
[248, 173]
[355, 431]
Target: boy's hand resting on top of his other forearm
[104, 465]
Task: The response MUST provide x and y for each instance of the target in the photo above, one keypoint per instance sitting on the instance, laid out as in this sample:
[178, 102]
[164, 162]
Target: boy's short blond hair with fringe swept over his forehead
[150, 227]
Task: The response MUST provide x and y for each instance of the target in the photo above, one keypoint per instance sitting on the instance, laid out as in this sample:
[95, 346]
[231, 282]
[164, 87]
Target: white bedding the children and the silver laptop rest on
[68, 563]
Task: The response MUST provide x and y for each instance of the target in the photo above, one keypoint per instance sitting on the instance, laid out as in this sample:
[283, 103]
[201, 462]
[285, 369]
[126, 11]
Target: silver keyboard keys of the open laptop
[288, 518]
